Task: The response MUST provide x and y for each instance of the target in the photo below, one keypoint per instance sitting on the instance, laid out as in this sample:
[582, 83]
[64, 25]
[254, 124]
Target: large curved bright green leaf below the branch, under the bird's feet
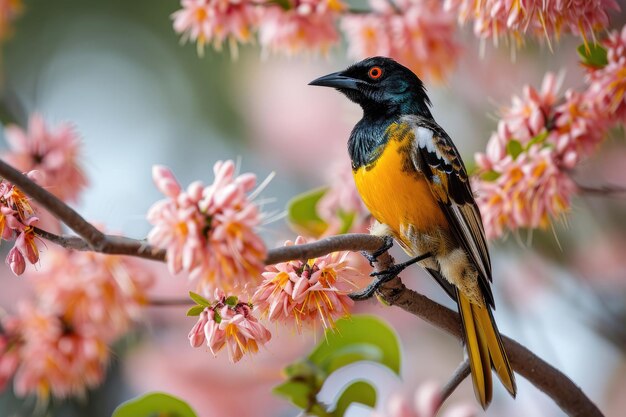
[355, 339]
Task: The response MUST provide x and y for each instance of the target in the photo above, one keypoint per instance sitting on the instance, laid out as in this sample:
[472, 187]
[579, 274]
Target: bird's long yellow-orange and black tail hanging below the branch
[485, 349]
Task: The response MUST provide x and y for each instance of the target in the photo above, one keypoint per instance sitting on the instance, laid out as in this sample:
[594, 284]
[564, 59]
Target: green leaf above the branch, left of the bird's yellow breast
[302, 213]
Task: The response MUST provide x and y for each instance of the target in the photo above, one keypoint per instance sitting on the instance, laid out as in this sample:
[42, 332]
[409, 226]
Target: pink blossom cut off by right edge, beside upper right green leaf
[608, 84]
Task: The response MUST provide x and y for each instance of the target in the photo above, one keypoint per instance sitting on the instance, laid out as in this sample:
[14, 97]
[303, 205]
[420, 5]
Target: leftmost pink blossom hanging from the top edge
[216, 21]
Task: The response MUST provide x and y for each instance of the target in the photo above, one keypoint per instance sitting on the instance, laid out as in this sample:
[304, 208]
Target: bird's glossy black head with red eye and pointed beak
[381, 86]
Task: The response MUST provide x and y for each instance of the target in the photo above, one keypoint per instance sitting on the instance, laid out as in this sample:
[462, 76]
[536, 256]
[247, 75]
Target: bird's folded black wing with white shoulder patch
[437, 158]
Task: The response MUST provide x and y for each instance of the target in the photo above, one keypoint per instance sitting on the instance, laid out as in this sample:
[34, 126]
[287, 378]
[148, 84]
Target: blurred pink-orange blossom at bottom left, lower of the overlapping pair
[56, 360]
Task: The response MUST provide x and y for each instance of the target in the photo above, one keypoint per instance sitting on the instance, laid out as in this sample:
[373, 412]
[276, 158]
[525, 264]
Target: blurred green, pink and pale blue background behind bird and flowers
[117, 71]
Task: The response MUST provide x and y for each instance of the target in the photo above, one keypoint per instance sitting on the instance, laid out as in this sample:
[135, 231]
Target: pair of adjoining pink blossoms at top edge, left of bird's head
[290, 26]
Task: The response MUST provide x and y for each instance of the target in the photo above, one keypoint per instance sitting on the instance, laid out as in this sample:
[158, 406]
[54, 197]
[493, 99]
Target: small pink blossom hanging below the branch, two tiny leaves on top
[227, 322]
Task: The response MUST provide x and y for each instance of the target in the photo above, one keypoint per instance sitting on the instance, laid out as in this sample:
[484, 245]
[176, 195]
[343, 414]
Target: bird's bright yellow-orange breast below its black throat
[395, 193]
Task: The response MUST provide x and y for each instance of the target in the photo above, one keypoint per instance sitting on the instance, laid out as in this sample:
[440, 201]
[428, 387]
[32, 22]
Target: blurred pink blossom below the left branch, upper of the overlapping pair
[94, 293]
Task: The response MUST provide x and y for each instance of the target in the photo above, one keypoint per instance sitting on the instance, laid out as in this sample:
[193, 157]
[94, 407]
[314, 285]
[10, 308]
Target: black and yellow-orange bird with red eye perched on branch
[413, 181]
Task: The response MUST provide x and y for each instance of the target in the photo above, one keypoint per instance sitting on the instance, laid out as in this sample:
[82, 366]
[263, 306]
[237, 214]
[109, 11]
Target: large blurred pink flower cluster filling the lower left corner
[59, 346]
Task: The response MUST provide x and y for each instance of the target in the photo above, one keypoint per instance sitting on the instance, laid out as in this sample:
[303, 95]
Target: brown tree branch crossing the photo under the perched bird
[545, 377]
